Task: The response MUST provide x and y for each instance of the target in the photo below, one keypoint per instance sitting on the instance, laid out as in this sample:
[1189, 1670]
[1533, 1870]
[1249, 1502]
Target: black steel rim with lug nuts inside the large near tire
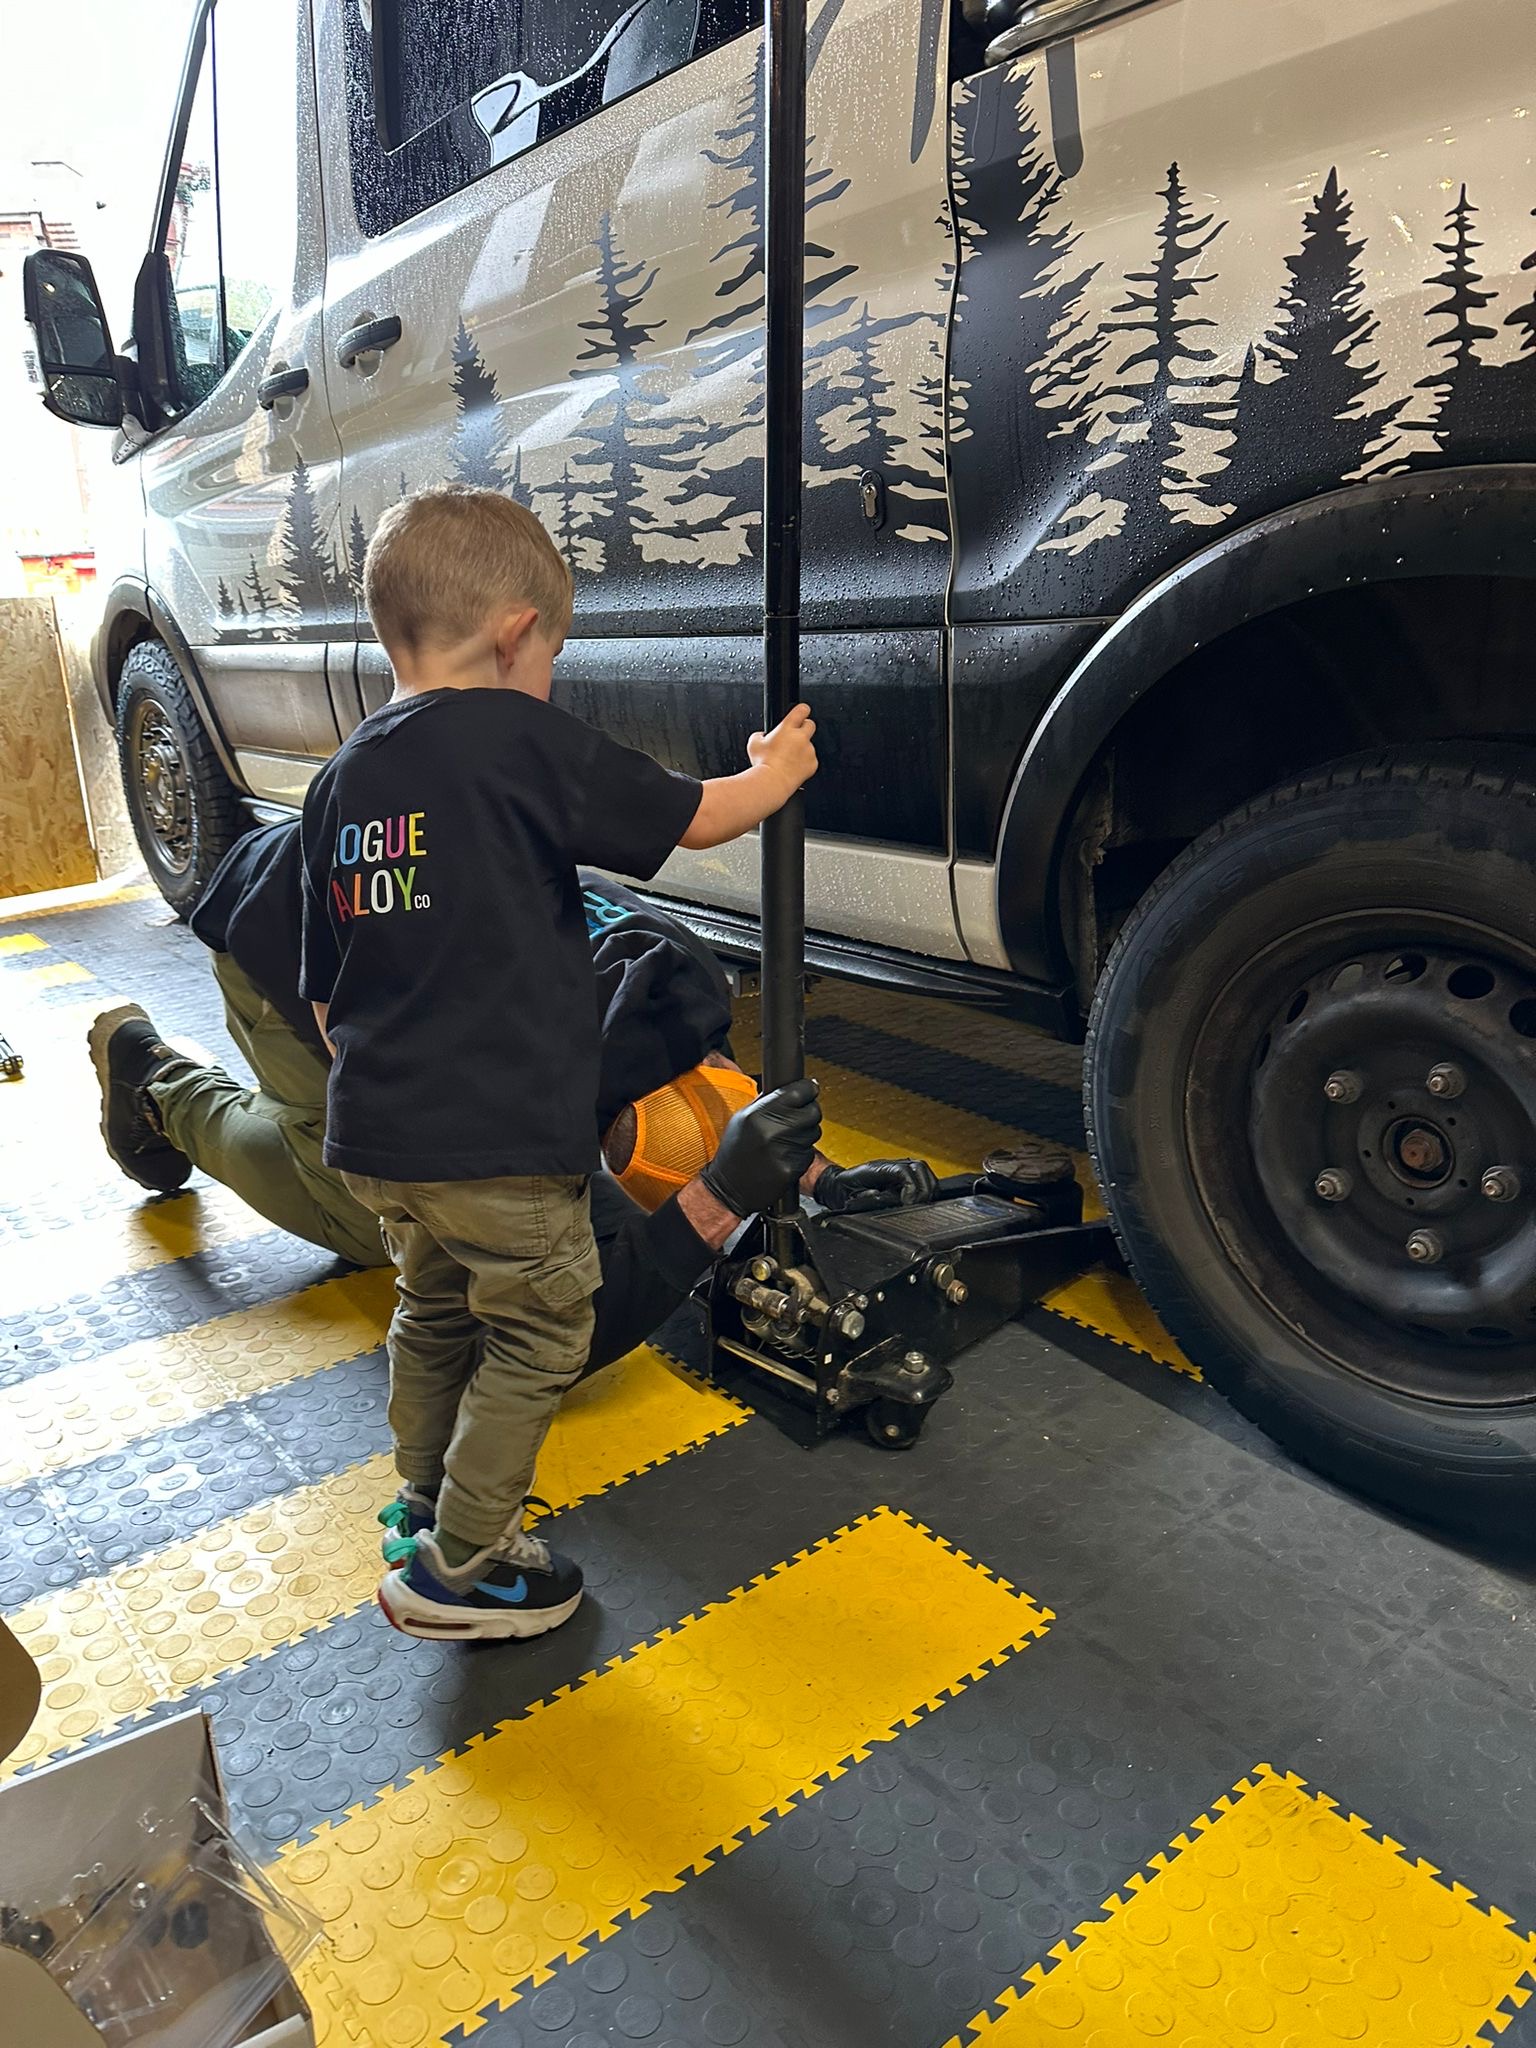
[1394, 1134]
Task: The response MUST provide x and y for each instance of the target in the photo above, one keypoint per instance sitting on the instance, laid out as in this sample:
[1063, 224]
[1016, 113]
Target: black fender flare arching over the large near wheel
[1478, 521]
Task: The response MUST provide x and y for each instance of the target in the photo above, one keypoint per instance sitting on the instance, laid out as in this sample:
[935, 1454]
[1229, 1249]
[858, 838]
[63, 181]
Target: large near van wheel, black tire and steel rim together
[1312, 1103]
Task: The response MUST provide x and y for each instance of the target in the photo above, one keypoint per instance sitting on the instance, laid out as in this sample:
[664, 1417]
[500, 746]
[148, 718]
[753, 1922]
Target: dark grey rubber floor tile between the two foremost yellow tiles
[896, 1904]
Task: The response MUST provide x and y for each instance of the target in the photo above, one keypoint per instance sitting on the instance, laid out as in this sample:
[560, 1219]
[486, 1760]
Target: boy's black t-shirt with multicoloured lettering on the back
[443, 923]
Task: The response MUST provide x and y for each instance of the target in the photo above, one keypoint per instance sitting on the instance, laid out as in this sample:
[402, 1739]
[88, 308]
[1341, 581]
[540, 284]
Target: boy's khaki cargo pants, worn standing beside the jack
[493, 1324]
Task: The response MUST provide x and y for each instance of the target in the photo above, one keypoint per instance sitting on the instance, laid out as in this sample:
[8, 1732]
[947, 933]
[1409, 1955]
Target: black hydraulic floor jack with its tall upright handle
[855, 1314]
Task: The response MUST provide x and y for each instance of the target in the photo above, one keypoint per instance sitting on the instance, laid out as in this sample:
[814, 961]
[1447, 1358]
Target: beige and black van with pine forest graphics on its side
[1170, 560]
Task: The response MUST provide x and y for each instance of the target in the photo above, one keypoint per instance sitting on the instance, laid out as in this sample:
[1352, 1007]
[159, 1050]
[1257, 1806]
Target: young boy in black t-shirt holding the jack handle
[447, 957]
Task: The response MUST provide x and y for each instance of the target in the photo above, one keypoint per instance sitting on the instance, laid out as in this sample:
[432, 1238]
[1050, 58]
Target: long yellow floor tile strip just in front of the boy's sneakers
[480, 1873]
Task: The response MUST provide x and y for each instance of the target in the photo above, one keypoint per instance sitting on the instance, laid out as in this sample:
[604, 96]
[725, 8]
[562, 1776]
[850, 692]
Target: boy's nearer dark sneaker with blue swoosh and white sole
[517, 1588]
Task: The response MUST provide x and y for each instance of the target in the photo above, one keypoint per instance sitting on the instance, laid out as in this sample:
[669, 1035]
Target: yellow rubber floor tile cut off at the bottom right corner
[1277, 1920]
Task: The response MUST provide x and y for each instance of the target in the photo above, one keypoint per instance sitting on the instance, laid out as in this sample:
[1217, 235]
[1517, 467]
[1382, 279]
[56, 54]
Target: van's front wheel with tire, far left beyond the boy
[185, 810]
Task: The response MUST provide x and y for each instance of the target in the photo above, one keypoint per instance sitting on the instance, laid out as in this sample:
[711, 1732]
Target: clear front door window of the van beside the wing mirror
[234, 204]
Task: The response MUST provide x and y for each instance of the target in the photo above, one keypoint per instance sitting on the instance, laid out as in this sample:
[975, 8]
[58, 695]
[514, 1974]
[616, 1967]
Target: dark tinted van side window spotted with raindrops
[431, 110]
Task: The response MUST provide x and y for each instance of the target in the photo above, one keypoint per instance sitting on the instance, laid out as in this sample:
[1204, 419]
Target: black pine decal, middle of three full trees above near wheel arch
[1318, 364]
